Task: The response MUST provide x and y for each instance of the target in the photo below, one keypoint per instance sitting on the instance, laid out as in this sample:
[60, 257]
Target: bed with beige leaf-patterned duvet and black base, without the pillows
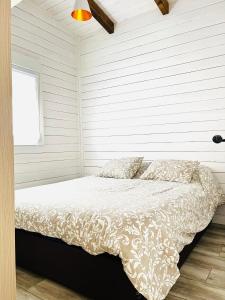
[113, 238]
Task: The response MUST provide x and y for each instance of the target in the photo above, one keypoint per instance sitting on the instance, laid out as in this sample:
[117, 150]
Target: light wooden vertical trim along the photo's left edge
[7, 228]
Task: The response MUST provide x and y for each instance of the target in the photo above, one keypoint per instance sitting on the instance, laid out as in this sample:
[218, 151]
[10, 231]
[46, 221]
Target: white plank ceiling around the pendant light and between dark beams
[119, 10]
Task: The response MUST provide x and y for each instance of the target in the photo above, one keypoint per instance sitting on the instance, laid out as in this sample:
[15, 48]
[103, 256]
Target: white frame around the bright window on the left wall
[36, 74]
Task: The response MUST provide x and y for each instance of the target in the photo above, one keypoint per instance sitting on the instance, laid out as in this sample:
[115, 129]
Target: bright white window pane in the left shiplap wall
[26, 110]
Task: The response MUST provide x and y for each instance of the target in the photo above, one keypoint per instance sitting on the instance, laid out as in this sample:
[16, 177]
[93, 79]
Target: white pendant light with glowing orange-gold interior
[81, 11]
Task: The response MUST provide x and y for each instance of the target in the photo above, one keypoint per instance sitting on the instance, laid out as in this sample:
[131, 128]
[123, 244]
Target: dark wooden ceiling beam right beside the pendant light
[101, 17]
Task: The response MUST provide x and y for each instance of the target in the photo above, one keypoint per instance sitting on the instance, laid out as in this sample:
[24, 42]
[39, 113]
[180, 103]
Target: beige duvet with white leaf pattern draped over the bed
[145, 223]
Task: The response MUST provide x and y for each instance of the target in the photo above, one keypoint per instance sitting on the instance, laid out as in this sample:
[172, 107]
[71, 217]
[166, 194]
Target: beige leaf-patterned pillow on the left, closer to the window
[124, 168]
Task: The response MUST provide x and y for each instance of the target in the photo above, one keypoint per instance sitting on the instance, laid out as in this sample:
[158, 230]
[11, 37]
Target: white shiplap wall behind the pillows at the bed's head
[157, 88]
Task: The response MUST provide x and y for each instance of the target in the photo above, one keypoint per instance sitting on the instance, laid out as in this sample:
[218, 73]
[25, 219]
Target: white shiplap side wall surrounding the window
[38, 36]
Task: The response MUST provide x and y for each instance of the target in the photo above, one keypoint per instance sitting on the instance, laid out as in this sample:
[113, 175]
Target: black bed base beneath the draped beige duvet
[98, 277]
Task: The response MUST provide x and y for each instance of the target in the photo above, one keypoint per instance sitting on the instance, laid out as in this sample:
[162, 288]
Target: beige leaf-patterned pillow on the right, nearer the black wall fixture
[171, 170]
